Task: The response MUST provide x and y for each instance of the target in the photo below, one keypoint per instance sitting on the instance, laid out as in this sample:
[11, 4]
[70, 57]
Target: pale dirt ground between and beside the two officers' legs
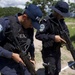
[66, 59]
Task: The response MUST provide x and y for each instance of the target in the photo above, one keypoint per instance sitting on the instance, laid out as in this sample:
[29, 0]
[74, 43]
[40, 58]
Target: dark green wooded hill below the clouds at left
[9, 11]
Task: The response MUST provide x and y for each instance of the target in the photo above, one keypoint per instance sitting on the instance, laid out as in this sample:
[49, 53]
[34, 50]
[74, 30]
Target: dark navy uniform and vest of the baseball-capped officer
[8, 26]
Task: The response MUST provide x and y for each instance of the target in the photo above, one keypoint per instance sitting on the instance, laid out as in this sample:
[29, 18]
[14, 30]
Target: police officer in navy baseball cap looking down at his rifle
[16, 27]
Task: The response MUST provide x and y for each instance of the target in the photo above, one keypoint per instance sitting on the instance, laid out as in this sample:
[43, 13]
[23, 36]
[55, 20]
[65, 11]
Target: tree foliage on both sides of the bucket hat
[46, 4]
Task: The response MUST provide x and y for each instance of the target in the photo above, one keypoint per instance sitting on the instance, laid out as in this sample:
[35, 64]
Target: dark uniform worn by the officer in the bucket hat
[50, 49]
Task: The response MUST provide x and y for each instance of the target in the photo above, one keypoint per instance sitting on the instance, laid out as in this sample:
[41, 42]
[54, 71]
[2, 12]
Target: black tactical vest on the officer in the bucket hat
[52, 29]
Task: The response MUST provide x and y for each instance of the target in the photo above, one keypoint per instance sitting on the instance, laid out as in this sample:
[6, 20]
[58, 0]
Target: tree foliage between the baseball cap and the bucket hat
[44, 5]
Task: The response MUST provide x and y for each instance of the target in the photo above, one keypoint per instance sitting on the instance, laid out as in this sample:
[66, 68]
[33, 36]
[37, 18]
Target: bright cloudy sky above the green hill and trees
[17, 3]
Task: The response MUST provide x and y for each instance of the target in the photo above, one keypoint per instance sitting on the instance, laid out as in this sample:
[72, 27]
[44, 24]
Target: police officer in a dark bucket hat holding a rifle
[49, 34]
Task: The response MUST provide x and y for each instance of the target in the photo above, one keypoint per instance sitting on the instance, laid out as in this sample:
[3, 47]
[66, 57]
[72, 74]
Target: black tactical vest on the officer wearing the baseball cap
[16, 36]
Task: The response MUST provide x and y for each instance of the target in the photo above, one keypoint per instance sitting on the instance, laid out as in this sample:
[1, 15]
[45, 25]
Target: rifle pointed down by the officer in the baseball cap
[24, 56]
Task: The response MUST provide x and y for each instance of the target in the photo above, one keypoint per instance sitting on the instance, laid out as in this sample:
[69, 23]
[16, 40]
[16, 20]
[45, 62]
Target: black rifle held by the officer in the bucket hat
[68, 43]
